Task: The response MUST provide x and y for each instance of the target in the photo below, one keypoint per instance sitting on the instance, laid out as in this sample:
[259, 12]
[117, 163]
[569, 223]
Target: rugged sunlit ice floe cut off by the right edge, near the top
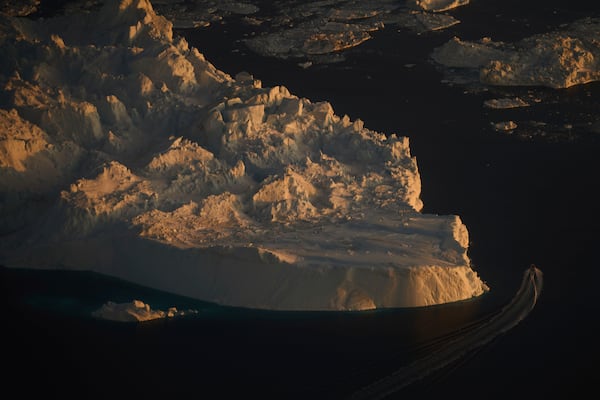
[559, 59]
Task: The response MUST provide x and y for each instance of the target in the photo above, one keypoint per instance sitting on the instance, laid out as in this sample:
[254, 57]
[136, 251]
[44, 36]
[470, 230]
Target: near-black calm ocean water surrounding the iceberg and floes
[525, 198]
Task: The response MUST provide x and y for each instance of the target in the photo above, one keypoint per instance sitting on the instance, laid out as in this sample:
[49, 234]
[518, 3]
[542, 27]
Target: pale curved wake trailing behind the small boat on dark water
[461, 343]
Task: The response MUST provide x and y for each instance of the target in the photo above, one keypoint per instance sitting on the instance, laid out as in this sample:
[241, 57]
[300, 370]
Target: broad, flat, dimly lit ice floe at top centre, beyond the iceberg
[318, 31]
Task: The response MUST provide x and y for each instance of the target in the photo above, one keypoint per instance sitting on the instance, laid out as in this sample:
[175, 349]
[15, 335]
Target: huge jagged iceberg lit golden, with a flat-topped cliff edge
[124, 151]
